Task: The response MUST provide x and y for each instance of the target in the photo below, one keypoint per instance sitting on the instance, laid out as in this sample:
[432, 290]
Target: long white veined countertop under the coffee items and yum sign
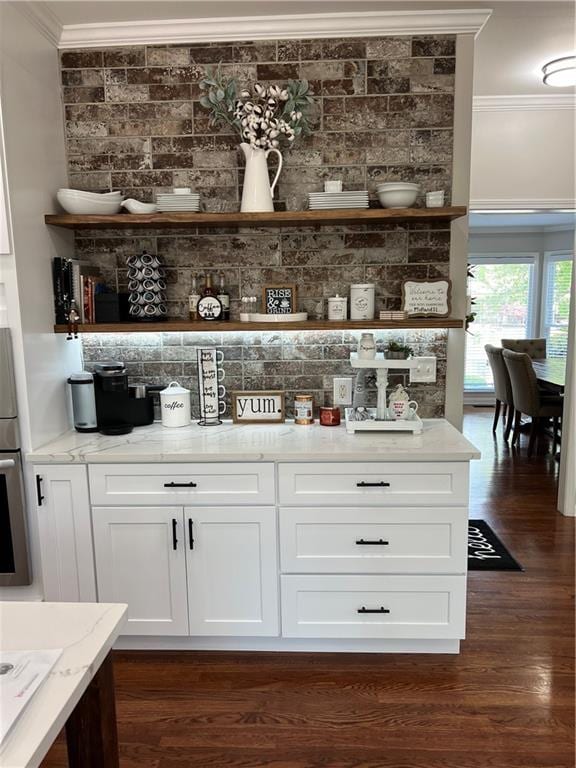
[439, 441]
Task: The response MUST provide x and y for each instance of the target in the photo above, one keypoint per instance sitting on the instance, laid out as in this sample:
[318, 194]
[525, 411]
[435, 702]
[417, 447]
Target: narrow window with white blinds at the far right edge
[557, 277]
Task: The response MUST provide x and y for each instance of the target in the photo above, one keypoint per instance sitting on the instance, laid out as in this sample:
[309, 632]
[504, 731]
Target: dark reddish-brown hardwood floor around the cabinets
[507, 701]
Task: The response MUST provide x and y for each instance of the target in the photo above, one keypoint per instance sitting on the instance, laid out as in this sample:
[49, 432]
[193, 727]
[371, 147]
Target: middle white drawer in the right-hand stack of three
[368, 540]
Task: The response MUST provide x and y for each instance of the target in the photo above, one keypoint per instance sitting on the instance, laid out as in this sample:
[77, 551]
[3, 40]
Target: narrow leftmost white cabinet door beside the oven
[65, 533]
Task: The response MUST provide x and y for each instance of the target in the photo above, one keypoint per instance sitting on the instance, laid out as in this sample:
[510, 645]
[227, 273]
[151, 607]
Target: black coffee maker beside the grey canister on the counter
[112, 398]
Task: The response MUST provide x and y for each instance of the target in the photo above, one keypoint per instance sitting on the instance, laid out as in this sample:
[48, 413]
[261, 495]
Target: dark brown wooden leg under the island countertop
[91, 728]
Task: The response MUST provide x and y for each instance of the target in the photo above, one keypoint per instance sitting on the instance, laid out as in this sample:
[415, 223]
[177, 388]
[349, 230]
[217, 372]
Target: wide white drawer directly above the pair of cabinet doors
[234, 483]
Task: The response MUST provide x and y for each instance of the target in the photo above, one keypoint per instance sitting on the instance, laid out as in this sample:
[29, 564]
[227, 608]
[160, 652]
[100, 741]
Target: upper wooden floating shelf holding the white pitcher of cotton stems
[273, 219]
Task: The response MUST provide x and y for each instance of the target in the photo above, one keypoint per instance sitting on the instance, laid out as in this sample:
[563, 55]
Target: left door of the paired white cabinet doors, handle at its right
[140, 560]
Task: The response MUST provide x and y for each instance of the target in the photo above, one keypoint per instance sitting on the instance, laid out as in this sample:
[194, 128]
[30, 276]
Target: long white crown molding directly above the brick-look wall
[308, 26]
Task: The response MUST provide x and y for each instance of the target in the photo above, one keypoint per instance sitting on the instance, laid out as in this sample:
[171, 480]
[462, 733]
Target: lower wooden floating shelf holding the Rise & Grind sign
[171, 326]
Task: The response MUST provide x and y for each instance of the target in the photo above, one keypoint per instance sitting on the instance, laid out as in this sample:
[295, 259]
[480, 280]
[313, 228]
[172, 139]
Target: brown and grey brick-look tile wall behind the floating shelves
[133, 122]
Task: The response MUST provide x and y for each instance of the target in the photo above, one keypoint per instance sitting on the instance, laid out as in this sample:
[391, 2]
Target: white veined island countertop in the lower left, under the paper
[86, 632]
